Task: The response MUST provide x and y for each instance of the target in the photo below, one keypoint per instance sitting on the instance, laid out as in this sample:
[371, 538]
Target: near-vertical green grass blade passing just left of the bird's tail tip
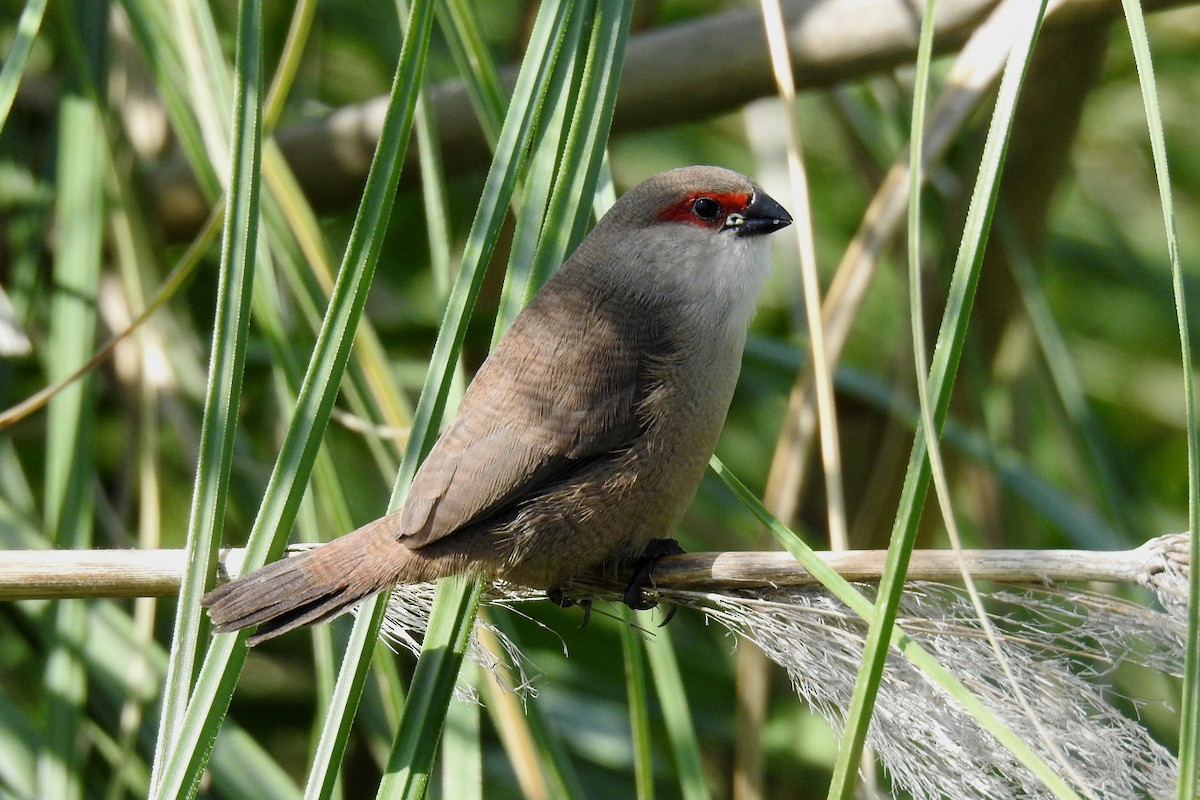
[230, 342]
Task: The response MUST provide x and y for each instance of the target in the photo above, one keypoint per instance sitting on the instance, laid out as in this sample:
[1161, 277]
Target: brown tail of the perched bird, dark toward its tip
[313, 587]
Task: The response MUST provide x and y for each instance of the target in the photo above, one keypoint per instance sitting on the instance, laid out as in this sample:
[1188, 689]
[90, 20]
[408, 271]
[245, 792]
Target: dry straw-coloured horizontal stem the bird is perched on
[1161, 564]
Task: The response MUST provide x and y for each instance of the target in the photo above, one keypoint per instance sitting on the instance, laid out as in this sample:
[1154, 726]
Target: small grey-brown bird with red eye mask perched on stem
[584, 436]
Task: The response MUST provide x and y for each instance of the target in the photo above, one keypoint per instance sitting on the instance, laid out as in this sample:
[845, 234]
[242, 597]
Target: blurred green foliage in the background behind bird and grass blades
[1101, 268]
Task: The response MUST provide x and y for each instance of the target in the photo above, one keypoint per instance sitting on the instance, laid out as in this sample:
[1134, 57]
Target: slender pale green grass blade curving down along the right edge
[1190, 717]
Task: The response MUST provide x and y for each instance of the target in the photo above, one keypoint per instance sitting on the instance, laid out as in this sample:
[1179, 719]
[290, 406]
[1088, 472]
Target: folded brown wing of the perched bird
[561, 388]
